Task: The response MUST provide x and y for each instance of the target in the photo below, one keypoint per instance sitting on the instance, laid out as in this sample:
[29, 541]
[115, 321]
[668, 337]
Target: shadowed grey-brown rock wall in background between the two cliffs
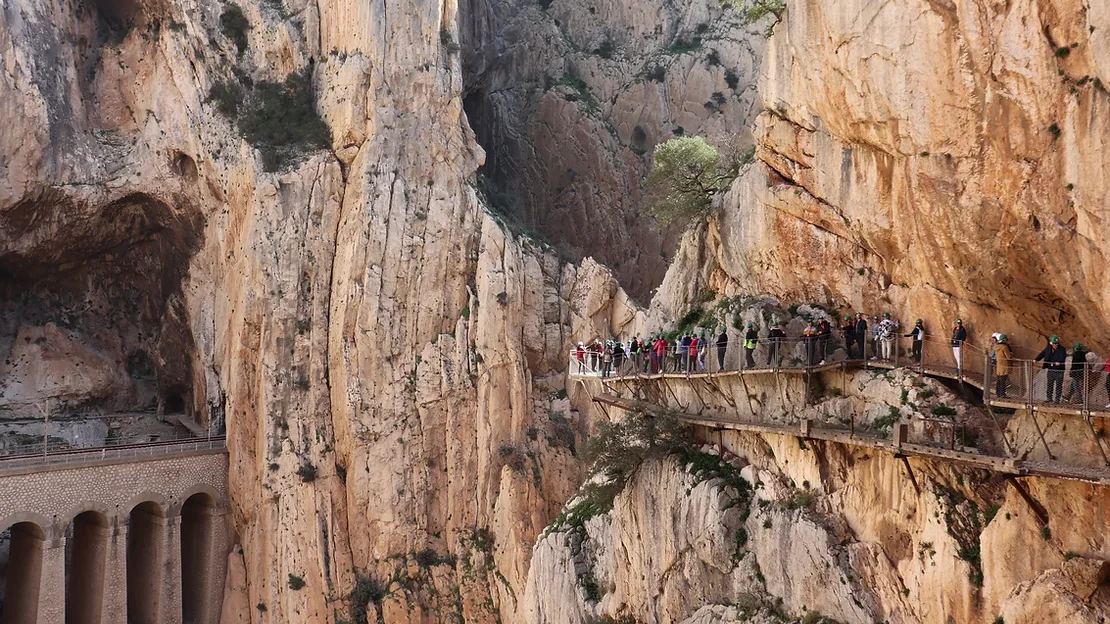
[569, 97]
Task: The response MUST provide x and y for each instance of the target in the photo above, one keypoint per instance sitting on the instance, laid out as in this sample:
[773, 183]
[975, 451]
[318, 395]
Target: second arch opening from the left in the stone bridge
[86, 551]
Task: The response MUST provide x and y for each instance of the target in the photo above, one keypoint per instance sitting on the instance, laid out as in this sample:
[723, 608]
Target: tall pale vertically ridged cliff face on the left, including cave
[386, 357]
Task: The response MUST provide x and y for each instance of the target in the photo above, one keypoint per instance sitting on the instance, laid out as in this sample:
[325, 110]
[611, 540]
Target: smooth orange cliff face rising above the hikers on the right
[934, 159]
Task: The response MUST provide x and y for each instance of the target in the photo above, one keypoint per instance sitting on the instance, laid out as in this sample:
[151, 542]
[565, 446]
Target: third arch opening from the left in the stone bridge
[146, 556]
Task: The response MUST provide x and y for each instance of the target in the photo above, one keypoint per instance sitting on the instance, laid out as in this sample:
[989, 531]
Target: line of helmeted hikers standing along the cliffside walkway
[690, 353]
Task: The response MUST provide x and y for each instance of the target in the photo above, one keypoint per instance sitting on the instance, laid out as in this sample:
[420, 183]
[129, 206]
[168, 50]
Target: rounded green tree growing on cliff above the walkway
[687, 175]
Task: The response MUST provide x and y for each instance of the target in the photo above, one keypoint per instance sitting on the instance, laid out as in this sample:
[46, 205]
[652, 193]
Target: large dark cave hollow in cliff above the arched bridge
[93, 316]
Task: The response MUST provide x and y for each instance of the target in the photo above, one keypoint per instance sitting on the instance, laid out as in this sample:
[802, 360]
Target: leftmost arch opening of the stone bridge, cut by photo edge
[23, 578]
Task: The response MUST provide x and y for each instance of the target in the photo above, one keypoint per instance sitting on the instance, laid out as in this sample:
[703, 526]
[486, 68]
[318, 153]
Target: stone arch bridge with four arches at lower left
[138, 536]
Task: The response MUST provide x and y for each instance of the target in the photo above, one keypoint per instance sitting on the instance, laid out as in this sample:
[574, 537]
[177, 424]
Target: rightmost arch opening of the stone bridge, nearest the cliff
[198, 527]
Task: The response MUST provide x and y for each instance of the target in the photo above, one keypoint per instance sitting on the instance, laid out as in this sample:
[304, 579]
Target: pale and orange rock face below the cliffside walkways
[773, 529]
